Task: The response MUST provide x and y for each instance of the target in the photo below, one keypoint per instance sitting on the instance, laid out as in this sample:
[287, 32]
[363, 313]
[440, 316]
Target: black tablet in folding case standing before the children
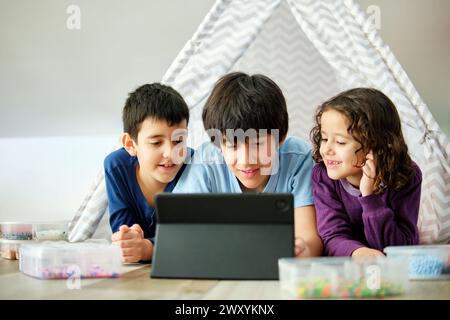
[222, 235]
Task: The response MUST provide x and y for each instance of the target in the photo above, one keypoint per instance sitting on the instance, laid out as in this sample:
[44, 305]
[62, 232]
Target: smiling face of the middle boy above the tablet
[251, 161]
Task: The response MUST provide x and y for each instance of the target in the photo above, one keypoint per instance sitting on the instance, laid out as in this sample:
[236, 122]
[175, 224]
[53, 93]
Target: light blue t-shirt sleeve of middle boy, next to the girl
[301, 182]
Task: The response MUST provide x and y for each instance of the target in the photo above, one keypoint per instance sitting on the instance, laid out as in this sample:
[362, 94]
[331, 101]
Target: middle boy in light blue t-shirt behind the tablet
[247, 121]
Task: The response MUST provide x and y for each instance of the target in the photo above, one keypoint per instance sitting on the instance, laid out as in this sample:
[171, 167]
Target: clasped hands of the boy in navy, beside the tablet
[134, 246]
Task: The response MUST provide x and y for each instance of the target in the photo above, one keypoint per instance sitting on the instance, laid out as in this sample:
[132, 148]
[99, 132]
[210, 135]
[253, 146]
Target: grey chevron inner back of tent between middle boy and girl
[283, 52]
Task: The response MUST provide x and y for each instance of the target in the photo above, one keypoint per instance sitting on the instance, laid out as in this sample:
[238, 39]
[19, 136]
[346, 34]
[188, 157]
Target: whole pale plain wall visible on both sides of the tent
[62, 91]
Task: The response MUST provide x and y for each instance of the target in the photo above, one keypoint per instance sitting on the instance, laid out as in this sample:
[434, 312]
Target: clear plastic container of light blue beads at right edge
[425, 262]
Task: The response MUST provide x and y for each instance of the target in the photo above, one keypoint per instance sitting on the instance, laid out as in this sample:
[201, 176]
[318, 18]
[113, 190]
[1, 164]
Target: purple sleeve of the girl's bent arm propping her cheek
[395, 224]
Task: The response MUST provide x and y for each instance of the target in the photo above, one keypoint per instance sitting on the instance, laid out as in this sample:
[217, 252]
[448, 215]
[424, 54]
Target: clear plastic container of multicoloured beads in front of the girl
[341, 277]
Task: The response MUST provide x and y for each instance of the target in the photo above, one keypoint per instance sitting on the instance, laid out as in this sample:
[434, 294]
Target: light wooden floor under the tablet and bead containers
[135, 283]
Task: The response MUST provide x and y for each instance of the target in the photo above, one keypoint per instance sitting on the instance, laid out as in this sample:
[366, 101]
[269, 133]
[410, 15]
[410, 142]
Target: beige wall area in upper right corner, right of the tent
[417, 31]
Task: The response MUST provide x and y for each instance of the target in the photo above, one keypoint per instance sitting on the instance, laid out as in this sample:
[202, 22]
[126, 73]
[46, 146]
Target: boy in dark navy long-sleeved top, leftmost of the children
[155, 119]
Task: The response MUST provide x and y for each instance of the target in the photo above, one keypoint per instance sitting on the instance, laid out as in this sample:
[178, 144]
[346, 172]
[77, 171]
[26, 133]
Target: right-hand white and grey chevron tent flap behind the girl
[359, 57]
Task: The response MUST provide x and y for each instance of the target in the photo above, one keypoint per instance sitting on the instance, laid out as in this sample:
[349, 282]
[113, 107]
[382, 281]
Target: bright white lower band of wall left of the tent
[47, 178]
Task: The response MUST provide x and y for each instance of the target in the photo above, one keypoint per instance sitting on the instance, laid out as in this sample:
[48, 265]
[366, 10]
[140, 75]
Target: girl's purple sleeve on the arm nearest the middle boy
[332, 220]
